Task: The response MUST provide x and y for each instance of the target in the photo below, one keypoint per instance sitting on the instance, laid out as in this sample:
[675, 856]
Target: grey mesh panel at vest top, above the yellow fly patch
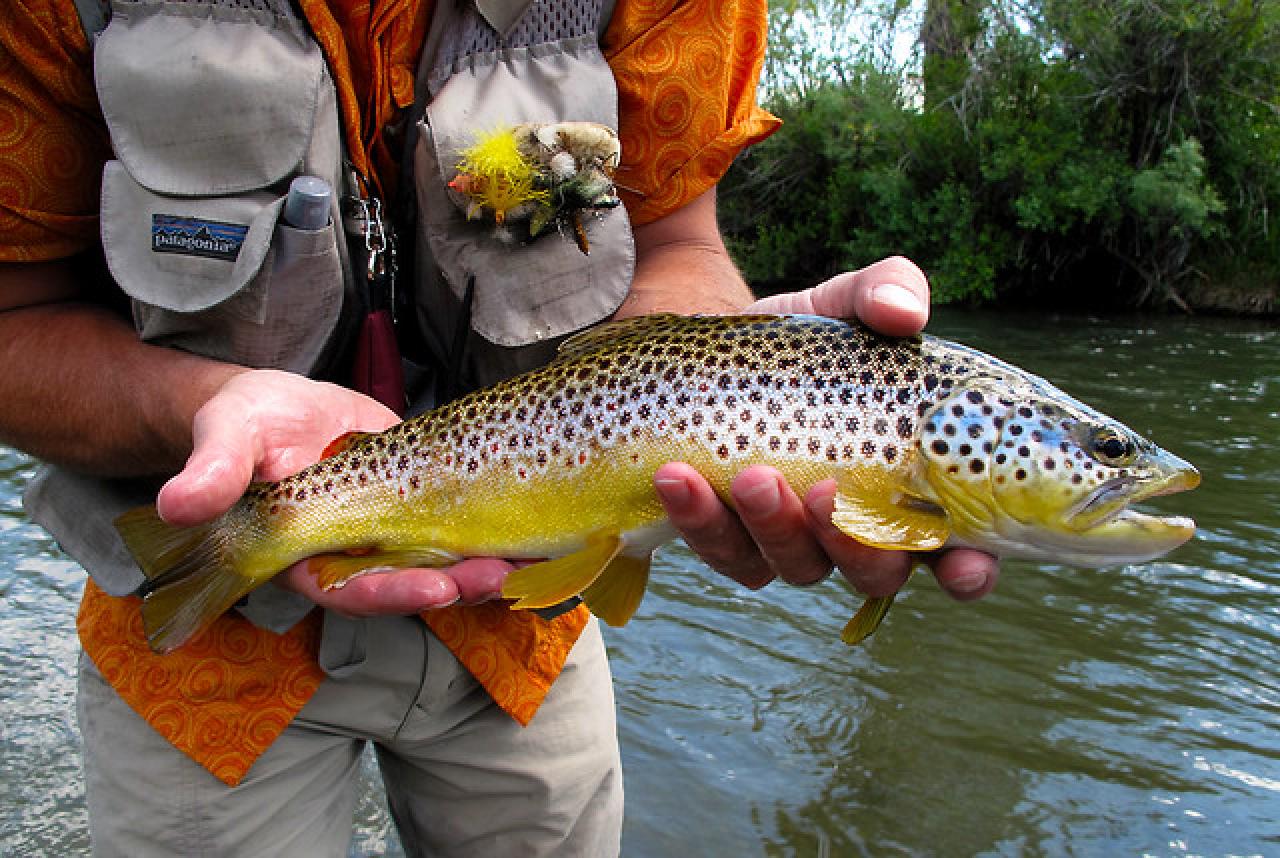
[546, 21]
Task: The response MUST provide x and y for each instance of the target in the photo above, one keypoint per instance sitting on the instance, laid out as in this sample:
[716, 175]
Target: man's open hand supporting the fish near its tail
[266, 426]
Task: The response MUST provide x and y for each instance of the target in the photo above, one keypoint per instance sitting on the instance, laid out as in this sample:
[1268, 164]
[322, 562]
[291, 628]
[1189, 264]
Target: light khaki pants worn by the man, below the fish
[463, 778]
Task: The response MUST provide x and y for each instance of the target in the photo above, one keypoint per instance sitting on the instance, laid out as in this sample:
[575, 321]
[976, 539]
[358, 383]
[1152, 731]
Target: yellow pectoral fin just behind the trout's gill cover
[872, 508]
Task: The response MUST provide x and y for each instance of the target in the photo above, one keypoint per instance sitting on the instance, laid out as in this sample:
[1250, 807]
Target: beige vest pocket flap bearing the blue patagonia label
[180, 254]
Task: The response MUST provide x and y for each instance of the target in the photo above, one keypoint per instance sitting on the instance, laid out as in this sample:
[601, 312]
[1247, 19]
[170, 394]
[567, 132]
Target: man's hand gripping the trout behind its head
[775, 533]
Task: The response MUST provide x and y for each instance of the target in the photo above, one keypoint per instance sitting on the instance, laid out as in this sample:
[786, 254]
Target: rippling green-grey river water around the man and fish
[1127, 711]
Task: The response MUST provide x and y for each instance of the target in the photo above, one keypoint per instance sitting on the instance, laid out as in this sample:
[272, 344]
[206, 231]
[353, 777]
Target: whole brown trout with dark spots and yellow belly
[931, 445]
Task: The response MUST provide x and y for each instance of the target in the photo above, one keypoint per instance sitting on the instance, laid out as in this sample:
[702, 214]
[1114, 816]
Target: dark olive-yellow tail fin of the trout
[193, 576]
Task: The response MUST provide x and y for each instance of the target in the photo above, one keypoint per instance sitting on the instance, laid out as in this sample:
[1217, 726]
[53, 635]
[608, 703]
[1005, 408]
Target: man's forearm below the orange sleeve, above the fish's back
[683, 266]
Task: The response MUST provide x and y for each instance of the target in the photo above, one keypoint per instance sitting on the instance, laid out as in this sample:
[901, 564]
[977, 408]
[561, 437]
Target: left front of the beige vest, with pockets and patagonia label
[213, 109]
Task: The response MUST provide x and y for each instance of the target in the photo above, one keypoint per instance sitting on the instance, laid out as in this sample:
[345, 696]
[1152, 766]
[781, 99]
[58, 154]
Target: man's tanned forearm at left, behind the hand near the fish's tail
[81, 390]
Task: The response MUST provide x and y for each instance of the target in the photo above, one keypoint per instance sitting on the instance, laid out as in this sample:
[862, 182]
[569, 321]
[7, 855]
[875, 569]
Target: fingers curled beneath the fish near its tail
[404, 591]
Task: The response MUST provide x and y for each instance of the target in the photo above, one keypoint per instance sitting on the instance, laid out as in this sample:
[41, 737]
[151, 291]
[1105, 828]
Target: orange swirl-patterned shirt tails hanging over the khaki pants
[225, 697]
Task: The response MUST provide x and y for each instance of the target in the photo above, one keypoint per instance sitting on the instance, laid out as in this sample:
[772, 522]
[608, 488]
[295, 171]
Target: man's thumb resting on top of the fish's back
[892, 296]
